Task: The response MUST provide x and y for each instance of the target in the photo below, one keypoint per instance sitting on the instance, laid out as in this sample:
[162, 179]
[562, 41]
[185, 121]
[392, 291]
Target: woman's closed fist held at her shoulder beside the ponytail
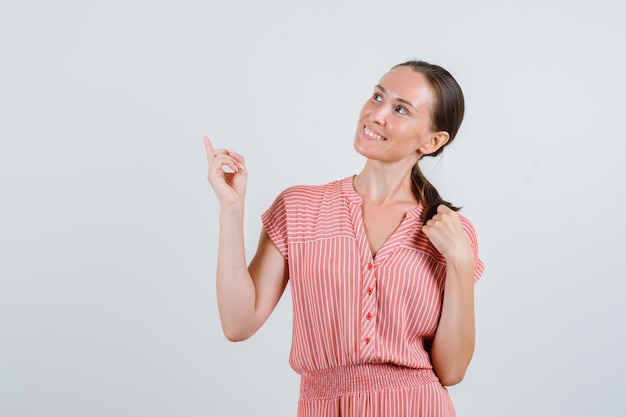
[446, 233]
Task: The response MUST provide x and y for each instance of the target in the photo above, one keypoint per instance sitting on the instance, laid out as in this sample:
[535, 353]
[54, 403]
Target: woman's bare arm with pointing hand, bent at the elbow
[246, 295]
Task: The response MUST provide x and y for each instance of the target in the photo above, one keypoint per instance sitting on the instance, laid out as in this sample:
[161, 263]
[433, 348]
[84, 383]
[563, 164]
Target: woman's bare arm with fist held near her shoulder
[453, 345]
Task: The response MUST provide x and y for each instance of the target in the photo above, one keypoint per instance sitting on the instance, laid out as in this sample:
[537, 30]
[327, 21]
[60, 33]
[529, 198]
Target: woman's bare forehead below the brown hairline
[408, 84]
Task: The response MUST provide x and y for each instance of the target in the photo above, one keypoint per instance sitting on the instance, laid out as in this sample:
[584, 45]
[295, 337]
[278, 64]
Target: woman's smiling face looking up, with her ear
[395, 123]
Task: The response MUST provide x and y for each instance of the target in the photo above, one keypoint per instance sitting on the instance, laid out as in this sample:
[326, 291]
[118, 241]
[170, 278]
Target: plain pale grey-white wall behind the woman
[108, 228]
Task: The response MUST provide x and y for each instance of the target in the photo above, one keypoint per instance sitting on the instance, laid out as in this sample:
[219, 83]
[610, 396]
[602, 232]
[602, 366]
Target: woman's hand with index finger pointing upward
[229, 185]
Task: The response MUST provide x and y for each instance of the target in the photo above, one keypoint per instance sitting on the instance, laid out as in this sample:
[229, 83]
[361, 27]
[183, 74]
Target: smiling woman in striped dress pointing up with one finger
[369, 259]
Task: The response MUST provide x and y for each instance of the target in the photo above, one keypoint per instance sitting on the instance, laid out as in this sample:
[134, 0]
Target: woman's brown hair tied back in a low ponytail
[446, 115]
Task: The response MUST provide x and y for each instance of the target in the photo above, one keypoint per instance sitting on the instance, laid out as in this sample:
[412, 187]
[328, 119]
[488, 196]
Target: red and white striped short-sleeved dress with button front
[362, 325]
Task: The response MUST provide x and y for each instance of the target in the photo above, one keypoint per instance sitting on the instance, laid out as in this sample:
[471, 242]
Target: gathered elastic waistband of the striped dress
[335, 382]
